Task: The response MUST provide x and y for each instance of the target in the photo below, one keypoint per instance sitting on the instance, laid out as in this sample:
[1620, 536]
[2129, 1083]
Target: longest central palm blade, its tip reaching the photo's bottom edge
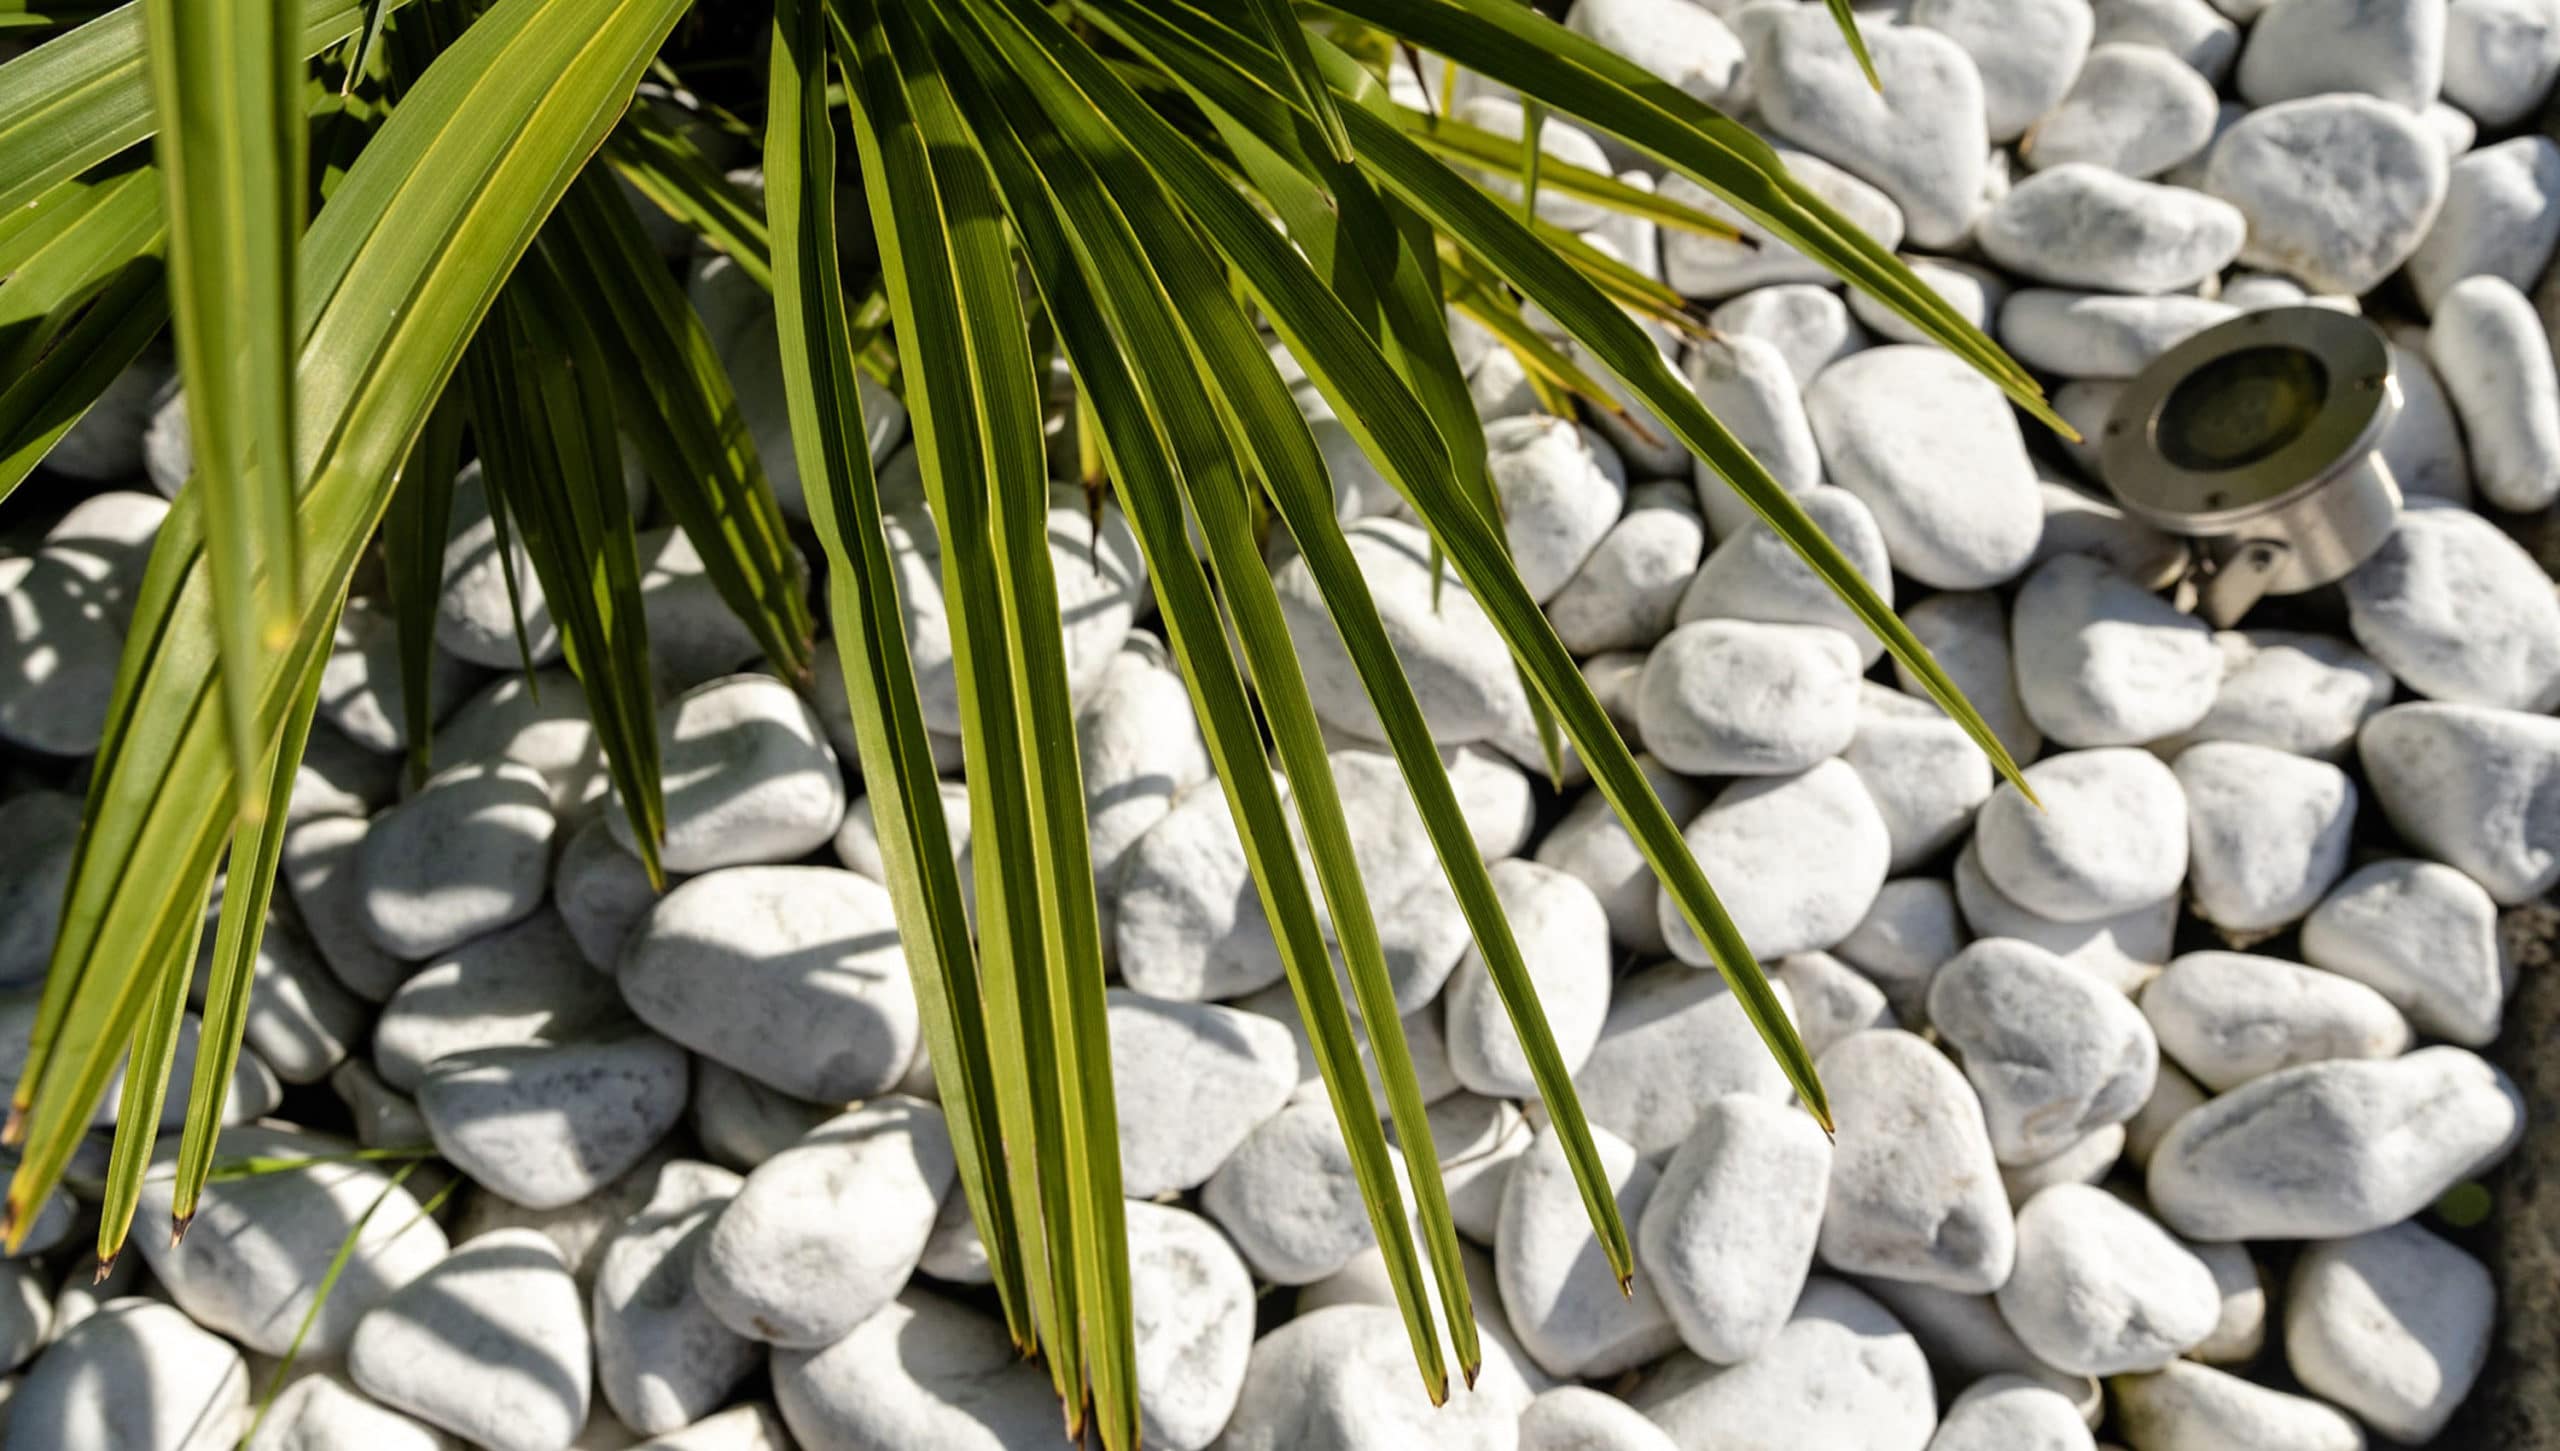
[977, 413]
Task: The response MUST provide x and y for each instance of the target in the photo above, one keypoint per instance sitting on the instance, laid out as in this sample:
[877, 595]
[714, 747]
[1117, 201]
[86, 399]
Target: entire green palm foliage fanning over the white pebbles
[475, 275]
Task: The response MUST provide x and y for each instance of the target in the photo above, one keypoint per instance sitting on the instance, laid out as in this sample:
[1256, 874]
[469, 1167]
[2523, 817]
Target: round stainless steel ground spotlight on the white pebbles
[2259, 444]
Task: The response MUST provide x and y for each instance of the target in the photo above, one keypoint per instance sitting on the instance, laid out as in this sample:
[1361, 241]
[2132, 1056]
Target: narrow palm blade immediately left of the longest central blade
[869, 633]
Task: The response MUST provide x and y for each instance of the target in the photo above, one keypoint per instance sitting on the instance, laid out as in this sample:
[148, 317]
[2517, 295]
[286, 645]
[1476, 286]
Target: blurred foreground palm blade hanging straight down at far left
[227, 88]
